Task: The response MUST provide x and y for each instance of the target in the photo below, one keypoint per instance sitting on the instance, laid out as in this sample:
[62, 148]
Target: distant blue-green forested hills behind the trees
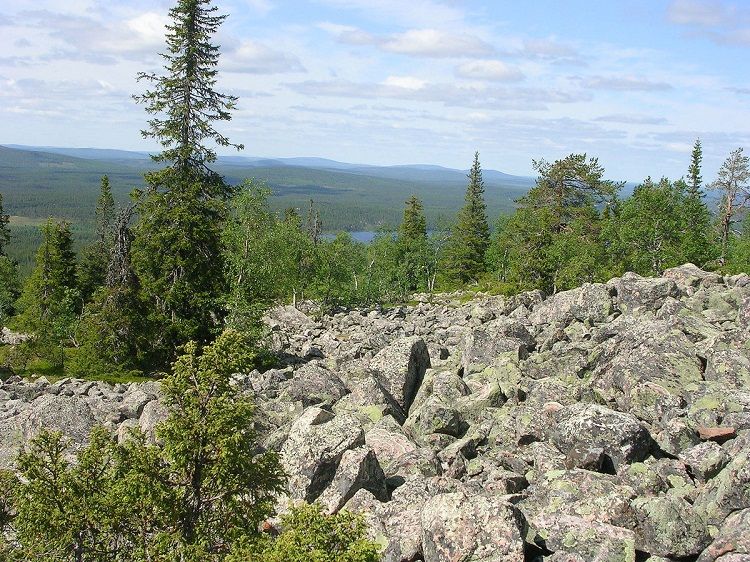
[41, 182]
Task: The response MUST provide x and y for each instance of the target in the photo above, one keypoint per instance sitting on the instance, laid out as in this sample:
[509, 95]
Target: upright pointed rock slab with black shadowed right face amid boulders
[400, 368]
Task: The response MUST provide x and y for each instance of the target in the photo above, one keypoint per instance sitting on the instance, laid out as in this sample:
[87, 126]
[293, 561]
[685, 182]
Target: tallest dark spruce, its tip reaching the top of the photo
[176, 252]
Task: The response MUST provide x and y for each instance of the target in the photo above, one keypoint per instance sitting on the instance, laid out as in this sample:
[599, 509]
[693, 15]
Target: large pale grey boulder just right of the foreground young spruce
[316, 443]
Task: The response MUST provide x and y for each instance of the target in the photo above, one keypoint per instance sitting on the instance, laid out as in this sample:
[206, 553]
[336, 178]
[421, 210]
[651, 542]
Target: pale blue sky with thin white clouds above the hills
[391, 82]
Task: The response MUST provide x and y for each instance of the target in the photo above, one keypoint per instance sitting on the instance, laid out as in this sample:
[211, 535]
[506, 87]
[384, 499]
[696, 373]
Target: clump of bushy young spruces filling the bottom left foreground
[204, 488]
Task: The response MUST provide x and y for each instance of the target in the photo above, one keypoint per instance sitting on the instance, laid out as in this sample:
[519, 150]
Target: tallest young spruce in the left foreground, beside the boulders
[216, 485]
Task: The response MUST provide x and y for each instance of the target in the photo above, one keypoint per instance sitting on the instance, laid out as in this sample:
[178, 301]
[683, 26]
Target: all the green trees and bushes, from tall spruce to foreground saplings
[173, 281]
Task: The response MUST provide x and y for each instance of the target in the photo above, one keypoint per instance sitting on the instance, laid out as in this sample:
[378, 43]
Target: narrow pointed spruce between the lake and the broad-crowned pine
[471, 235]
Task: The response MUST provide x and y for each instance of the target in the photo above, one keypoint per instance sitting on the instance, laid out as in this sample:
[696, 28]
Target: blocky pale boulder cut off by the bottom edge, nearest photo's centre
[458, 527]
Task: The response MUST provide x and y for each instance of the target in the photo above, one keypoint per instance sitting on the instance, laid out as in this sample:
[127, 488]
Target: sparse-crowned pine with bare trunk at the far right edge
[733, 181]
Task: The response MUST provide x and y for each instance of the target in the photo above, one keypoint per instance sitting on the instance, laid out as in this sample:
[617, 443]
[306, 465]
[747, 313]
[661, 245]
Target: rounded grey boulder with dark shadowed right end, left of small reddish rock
[586, 427]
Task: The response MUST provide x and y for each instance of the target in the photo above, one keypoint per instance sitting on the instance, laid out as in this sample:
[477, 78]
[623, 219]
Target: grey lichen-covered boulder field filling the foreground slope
[608, 423]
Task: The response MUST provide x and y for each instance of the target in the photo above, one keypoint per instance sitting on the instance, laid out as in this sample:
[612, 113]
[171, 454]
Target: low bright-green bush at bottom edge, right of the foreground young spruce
[309, 535]
